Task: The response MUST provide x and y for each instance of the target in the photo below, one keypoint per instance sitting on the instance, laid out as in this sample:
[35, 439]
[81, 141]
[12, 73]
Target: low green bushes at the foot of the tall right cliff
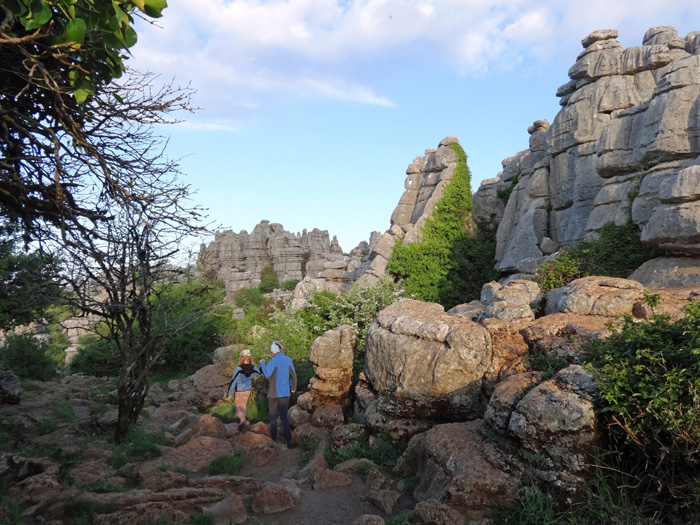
[616, 253]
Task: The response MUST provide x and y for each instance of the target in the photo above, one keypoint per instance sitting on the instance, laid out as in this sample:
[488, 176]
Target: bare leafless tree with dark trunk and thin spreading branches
[118, 259]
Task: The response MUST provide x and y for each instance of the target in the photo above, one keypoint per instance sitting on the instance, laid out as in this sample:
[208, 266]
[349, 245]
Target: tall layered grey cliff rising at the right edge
[624, 147]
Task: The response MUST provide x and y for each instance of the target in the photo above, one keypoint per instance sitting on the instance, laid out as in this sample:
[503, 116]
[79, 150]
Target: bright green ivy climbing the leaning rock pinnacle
[450, 263]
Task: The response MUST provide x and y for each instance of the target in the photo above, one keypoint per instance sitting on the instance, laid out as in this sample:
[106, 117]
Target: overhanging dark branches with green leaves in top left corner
[56, 55]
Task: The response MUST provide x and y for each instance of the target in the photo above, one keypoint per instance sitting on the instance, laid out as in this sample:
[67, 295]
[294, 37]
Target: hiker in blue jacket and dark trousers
[283, 383]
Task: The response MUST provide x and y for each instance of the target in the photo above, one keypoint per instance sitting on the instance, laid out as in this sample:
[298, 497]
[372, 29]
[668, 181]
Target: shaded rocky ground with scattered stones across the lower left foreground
[72, 464]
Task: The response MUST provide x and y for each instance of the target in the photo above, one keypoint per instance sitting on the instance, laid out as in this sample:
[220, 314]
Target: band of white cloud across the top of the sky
[243, 54]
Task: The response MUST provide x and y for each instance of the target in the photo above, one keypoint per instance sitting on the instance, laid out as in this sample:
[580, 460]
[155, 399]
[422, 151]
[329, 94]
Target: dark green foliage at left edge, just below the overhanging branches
[28, 285]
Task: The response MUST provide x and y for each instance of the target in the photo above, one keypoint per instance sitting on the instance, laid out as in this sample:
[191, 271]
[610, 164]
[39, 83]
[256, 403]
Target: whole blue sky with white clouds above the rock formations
[311, 110]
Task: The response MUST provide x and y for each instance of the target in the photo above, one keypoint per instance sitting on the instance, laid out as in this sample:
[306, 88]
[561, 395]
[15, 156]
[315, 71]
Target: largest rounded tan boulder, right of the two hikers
[425, 362]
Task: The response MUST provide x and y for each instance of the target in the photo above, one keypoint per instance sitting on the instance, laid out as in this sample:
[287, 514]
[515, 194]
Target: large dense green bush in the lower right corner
[649, 401]
